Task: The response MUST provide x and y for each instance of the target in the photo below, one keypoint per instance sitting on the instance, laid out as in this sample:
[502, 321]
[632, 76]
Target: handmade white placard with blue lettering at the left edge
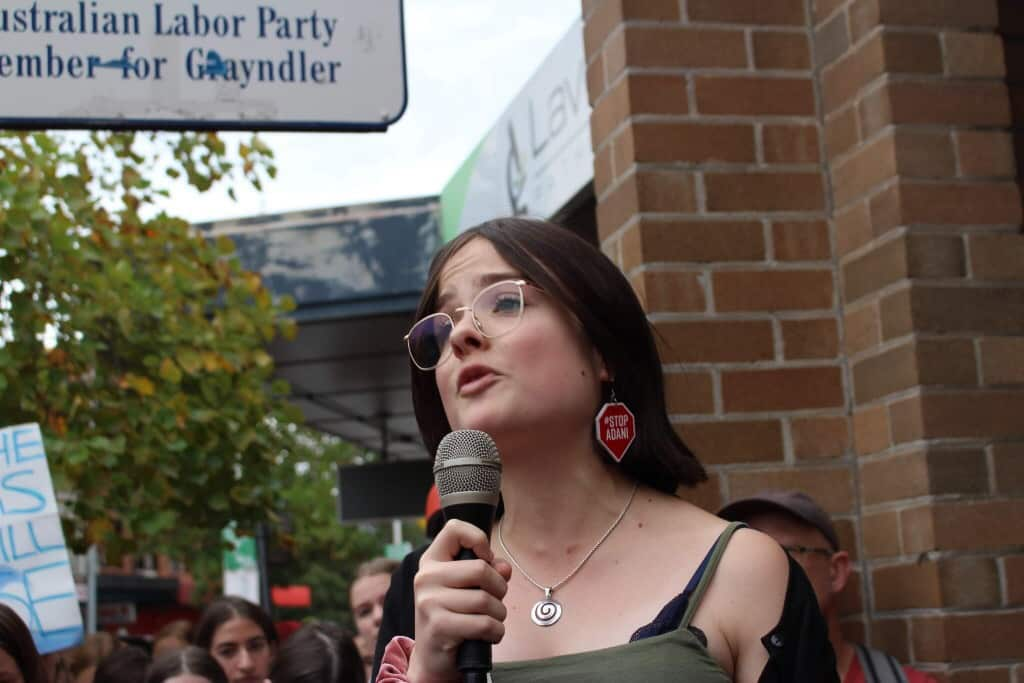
[35, 571]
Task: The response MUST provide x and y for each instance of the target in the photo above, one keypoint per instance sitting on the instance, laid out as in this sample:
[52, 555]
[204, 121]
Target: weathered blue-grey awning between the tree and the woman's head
[357, 274]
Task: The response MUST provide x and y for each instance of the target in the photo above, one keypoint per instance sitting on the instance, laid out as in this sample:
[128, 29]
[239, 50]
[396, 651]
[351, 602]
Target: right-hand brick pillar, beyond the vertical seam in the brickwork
[927, 217]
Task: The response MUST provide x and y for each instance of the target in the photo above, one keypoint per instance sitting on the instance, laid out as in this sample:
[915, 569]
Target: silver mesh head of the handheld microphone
[468, 463]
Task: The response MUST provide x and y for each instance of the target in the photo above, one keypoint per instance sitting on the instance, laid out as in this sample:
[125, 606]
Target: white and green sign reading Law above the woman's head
[539, 154]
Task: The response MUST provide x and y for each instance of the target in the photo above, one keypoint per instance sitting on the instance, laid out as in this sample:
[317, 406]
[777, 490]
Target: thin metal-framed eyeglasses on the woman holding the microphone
[496, 311]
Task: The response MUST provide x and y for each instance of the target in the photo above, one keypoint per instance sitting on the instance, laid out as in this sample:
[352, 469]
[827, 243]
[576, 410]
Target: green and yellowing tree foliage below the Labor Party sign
[138, 345]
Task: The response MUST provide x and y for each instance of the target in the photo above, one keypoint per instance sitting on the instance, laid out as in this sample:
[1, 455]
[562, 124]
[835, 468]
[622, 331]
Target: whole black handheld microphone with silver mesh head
[468, 474]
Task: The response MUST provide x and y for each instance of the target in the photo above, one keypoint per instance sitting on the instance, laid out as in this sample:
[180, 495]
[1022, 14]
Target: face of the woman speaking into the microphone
[542, 377]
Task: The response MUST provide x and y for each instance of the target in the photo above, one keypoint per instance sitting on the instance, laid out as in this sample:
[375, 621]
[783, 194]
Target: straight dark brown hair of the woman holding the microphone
[585, 283]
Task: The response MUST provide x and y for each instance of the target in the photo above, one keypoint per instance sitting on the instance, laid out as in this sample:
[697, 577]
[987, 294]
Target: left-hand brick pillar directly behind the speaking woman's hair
[711, 196]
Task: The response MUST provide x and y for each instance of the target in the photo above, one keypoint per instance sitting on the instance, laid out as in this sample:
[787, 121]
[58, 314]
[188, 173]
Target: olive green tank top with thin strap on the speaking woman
[676, 656]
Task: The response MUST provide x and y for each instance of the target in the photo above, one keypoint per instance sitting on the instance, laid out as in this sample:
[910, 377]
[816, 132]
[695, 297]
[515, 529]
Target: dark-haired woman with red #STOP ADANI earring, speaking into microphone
[596, 571]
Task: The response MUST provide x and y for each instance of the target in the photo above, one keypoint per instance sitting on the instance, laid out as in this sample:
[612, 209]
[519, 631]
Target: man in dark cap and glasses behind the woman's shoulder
[805, 531]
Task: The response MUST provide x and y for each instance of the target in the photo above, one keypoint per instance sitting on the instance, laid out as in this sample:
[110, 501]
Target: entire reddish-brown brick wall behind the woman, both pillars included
[817, 200]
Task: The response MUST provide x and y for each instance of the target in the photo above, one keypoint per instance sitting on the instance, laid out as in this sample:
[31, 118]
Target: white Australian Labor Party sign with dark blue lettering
[269, 65]
